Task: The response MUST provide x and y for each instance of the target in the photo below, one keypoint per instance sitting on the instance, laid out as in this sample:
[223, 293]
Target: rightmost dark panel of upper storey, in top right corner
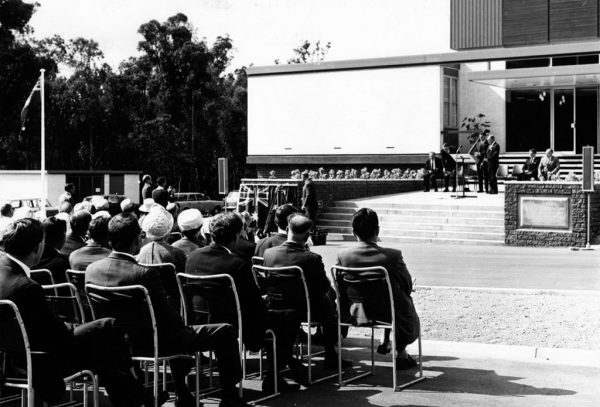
[573, 19]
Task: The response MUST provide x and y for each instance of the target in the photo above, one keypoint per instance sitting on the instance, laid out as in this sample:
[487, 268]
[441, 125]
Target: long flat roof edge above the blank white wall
[478, 55]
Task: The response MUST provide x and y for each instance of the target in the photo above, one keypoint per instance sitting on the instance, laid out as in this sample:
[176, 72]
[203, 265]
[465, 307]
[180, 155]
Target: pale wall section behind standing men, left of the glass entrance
[475, 98]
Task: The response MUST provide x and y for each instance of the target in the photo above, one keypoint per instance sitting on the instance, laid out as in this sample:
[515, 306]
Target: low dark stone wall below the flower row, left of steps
[329, 191]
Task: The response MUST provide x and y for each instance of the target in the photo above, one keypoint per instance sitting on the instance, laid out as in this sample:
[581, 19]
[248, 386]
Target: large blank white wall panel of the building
[374, 111]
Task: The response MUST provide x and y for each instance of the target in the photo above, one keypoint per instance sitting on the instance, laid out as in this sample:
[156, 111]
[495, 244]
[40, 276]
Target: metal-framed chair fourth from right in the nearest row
[125, 296]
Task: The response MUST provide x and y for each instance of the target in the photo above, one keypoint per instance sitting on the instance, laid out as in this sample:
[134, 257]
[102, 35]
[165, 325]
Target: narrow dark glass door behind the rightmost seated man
[564, 119]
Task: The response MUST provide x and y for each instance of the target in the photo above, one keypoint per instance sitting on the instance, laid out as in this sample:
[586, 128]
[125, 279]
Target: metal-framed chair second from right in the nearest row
[265, 274]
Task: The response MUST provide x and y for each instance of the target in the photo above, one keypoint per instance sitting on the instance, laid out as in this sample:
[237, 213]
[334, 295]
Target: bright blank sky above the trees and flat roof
[262, 30]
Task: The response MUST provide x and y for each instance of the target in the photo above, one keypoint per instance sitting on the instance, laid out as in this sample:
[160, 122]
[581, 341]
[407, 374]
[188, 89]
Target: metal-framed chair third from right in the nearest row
[186, 281]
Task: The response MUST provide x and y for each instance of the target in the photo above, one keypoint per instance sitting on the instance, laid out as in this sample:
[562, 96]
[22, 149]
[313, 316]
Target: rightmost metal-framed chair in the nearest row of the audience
[380, 274]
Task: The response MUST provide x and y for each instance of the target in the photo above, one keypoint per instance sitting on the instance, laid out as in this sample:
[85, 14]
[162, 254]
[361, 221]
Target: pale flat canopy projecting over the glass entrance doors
[555, 76]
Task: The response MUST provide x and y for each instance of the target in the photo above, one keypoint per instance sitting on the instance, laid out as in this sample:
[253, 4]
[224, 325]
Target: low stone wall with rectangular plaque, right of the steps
[573, 235]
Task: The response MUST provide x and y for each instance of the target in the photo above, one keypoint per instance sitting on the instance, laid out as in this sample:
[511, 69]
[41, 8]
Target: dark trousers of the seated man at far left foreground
[98, 346]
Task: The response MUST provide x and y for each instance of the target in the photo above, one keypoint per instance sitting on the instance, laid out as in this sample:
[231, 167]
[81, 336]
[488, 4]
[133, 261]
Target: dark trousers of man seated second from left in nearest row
[220, 338]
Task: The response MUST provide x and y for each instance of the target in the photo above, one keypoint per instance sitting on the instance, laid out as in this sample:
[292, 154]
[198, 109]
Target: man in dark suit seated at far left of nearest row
[99, 345]
